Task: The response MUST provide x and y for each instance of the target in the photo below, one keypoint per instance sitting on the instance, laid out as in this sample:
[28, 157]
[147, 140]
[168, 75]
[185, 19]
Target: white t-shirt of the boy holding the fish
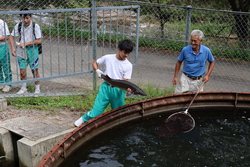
[116, 69]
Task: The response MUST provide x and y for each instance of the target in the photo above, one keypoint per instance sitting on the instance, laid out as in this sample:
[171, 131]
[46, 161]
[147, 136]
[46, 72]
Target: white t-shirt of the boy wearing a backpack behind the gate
[27, 32]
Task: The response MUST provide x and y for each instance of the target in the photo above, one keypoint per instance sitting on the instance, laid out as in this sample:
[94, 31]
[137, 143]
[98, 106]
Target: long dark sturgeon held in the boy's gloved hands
[123, 84]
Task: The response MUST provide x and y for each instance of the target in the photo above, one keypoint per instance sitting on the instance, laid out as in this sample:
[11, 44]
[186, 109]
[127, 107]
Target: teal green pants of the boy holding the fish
[106, 95]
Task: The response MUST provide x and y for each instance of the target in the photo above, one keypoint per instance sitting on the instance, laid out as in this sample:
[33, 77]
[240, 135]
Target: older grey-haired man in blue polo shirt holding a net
[194, 72]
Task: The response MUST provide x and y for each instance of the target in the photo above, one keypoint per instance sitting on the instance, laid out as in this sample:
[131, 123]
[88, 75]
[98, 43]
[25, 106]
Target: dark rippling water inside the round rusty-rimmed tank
[216, 142]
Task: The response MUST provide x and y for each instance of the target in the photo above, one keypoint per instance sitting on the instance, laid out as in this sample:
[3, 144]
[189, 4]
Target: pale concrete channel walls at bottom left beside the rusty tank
[30, 153]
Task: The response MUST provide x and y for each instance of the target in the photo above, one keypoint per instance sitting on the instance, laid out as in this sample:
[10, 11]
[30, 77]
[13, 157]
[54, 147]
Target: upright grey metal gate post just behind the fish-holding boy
[94, 38]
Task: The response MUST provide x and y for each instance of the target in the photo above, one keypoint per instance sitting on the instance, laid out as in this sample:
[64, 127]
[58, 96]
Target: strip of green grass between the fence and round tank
[78, 102]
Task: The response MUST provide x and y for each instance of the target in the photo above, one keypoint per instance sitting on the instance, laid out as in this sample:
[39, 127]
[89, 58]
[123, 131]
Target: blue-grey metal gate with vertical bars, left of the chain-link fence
[72, 39]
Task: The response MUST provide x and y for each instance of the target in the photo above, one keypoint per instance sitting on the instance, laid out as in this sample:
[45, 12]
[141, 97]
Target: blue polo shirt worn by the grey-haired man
[195, 64]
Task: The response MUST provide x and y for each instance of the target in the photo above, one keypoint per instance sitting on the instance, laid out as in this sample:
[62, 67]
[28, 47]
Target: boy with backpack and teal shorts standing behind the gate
[29, 40]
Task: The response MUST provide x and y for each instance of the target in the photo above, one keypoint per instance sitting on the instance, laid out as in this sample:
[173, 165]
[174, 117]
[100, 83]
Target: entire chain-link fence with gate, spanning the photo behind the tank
[73, 38]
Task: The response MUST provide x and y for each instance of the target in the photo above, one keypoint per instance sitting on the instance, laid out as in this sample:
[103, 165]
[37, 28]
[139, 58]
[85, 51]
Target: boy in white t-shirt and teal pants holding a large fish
[117, 67]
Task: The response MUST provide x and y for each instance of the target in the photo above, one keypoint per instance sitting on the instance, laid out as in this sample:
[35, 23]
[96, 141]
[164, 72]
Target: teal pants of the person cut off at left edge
[5, 67]
